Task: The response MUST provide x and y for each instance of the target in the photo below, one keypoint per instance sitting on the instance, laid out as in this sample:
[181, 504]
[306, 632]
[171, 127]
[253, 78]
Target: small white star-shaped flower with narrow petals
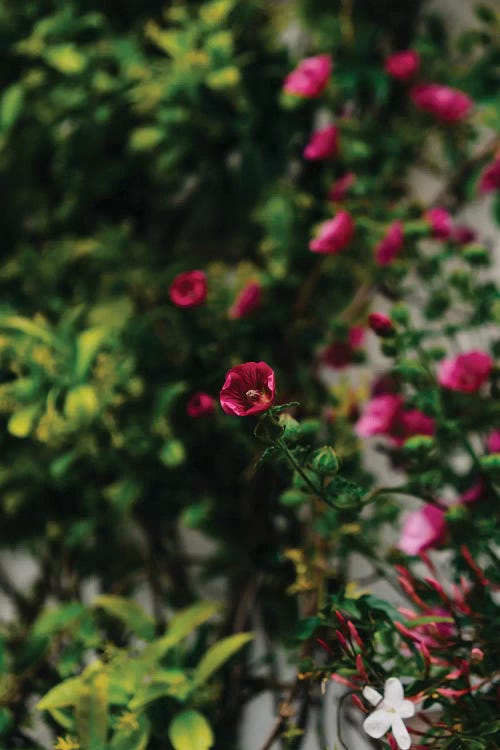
[391, 709]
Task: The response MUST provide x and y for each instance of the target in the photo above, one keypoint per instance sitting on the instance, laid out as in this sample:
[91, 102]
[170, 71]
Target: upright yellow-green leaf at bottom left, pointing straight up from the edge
[92, 712]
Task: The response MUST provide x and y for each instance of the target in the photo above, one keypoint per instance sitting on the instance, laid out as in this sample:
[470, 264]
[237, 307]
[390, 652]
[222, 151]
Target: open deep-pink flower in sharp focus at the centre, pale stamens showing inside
[248, 389]
